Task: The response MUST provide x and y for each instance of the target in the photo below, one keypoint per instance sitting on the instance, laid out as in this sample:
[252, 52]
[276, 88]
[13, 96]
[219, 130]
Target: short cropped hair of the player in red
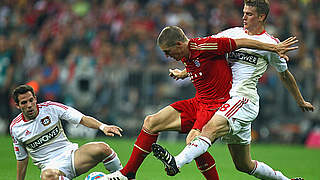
[170, 35]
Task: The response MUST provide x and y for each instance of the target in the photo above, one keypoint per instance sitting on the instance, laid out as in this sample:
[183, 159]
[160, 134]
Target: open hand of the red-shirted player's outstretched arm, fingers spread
[285, 46]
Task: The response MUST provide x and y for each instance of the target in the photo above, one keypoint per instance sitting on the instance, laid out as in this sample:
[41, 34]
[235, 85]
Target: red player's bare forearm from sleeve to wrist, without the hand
[253, 44]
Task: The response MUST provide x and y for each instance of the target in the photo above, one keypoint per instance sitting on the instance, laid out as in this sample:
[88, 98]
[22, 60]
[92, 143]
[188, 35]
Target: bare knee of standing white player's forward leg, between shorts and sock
[217, 126]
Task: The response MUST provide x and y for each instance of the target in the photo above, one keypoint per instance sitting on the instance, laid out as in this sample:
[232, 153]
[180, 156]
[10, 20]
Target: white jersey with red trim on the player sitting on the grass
[43, 138]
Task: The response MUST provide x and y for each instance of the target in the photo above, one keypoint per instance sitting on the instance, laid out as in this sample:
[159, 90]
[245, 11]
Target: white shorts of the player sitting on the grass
[64, 162]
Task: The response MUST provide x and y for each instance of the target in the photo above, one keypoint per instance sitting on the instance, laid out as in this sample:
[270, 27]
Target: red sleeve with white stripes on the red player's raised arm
[218, 46]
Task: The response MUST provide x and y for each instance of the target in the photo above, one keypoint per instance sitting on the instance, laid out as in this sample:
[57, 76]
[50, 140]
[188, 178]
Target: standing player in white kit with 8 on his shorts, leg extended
[233, 120]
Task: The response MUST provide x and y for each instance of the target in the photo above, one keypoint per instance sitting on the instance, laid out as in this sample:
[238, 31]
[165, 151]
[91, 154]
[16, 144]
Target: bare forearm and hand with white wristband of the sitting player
[109, 130]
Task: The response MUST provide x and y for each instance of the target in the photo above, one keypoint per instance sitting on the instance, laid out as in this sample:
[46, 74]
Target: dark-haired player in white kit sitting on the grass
[37, 132]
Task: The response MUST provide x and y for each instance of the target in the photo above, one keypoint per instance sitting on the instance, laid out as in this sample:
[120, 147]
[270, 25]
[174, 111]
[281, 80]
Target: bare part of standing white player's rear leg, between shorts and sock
[241, 156]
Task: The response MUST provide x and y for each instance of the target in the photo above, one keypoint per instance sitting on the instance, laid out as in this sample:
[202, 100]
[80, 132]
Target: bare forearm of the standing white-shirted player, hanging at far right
[290, 83]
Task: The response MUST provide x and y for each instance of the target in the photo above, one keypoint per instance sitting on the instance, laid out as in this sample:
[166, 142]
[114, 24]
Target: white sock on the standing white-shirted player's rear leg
[263, 171]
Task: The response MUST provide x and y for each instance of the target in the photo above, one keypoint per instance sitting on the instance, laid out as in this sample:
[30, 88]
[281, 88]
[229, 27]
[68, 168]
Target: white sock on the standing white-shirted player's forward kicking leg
[194, 149]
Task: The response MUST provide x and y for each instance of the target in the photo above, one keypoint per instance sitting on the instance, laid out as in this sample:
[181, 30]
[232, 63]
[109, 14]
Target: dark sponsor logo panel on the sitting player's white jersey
[54, 132]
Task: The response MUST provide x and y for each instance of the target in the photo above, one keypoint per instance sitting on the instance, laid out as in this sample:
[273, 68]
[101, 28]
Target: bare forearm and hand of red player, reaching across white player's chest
[280, 48]
